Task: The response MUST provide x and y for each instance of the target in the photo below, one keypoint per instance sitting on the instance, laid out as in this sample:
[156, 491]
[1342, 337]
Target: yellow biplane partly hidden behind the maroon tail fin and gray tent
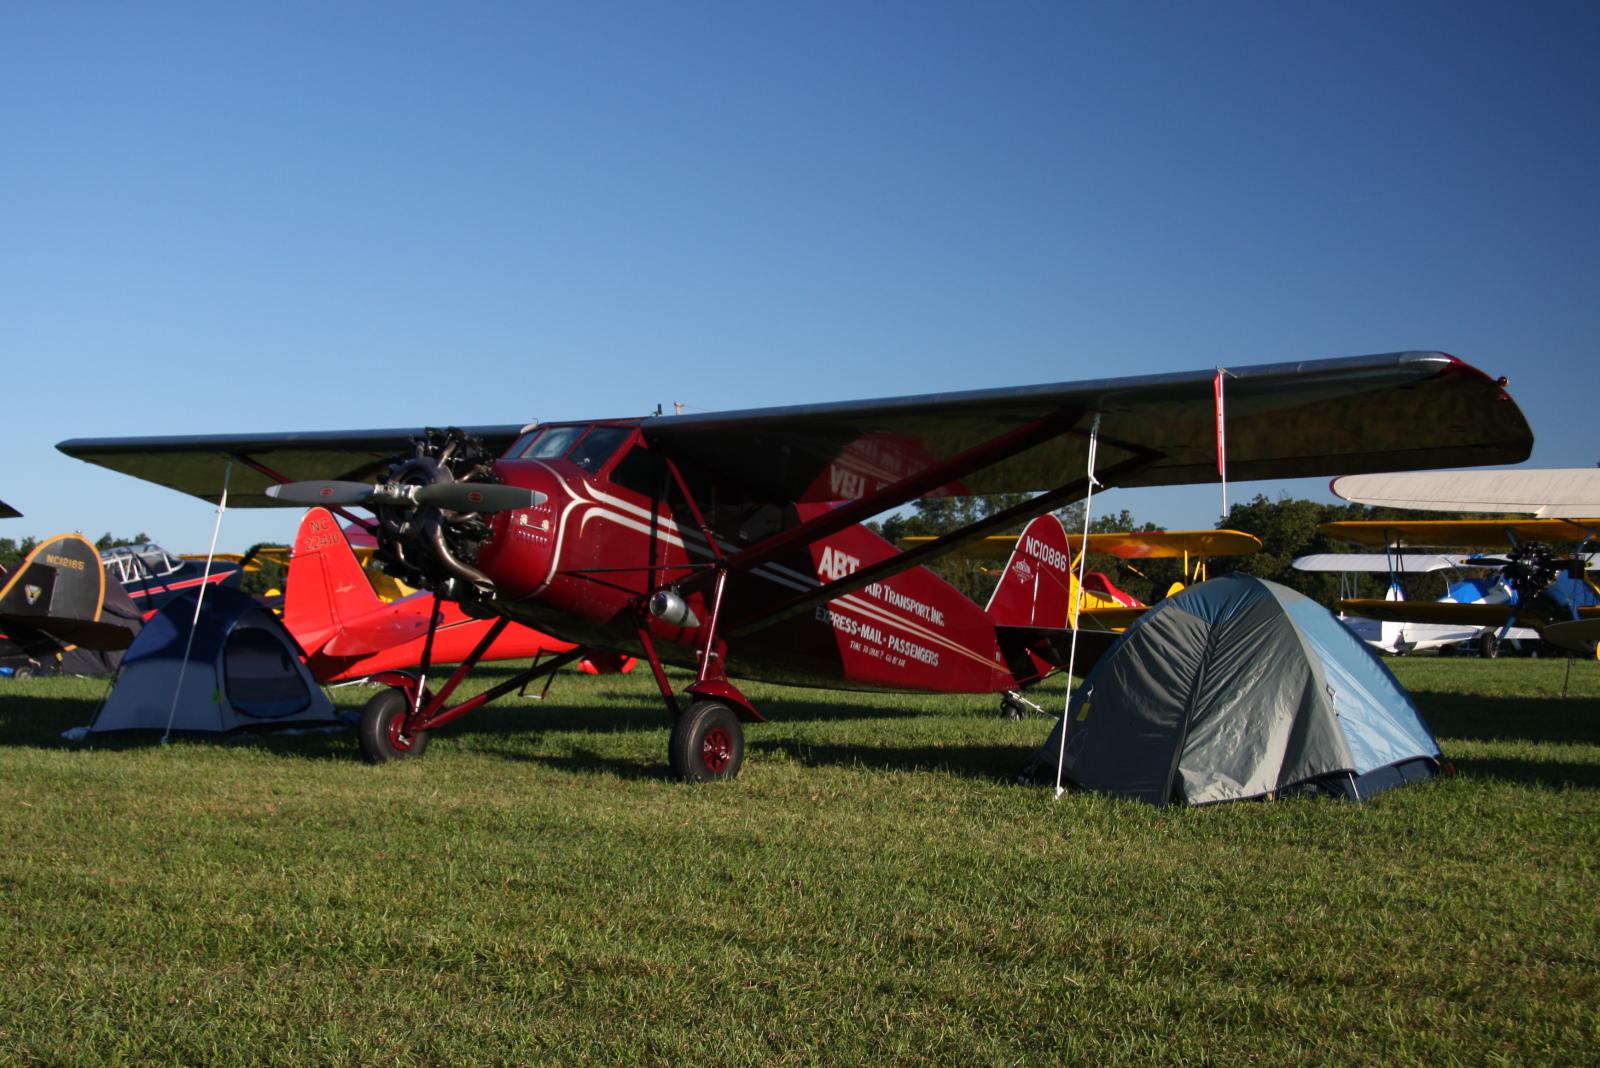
[1105, 605]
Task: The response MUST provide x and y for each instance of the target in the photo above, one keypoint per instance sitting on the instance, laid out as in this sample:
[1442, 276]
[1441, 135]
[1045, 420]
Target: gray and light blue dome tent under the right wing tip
[1239, 688]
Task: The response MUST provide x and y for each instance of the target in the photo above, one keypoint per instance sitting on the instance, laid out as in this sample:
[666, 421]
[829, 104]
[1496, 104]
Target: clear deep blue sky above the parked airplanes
[303, 217]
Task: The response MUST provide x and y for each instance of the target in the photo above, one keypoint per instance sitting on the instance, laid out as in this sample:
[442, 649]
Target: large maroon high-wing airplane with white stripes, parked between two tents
[732, 543]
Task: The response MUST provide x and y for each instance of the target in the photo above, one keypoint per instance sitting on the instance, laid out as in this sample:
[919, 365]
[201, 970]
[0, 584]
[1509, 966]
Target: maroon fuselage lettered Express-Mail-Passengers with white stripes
[583, 564]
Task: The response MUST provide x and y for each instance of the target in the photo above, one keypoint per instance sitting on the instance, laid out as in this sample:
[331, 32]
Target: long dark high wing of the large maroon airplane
[1289, 420]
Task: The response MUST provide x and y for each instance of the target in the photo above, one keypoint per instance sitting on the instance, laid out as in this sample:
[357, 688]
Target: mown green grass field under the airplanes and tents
[870, 891]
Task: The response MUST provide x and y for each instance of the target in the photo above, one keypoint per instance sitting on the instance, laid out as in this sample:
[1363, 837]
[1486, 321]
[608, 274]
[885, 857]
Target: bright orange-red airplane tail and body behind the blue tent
[350, 632]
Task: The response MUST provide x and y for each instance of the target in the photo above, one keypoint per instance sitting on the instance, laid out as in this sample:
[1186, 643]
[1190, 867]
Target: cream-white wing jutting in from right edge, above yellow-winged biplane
[1543, 493]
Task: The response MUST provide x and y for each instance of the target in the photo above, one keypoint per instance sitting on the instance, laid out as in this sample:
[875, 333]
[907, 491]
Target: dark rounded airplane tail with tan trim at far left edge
[57, 600]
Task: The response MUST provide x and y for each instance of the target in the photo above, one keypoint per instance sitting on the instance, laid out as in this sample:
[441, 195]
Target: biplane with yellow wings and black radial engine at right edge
[1535, 584]
